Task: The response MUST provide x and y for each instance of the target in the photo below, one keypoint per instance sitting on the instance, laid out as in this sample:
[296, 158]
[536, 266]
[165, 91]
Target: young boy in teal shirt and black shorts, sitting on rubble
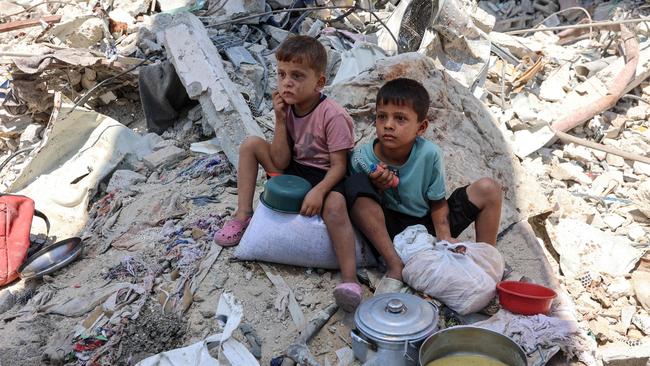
[381, 209]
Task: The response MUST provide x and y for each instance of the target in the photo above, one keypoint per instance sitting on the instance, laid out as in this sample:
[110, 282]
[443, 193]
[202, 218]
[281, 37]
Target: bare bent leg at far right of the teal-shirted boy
[486, 194]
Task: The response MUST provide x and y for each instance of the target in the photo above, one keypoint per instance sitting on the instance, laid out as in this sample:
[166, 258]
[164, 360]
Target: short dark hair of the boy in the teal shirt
[403, 91]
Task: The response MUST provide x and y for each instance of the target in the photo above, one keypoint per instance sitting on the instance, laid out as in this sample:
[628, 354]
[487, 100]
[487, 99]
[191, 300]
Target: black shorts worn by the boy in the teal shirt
[462, 212]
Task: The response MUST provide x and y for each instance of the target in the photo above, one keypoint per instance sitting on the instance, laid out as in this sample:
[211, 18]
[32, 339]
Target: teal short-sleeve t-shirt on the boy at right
[421, 178]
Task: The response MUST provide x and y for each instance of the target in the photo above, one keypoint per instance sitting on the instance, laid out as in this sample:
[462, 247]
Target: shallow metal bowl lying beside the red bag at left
[51, 258]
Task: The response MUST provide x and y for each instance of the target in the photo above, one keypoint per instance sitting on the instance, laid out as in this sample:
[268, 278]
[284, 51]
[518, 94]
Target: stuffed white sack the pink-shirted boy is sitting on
[293, 239]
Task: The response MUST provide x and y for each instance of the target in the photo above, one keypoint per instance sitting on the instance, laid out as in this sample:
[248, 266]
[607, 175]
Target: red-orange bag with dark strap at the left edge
[16, 214]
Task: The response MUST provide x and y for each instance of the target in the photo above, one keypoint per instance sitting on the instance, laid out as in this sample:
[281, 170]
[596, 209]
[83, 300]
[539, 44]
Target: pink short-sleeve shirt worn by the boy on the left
[326, 129]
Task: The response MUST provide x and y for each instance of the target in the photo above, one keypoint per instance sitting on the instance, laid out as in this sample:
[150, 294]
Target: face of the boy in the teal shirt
[397, 125]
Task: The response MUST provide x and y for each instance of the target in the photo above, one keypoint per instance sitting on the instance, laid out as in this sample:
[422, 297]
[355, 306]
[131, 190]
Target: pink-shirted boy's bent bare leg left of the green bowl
[253, 151]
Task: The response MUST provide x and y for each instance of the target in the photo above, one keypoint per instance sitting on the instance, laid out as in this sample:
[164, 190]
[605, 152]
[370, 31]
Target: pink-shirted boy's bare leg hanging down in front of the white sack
[335, 215]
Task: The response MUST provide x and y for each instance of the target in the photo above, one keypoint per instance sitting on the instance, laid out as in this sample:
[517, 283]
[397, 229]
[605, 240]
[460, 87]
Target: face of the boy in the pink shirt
[298, 83]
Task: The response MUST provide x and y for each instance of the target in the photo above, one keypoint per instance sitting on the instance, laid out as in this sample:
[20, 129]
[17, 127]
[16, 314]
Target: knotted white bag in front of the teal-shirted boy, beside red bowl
[466, 283]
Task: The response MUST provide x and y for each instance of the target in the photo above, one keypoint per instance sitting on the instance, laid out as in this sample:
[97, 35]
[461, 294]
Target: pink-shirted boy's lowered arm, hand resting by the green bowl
[313, 201]
